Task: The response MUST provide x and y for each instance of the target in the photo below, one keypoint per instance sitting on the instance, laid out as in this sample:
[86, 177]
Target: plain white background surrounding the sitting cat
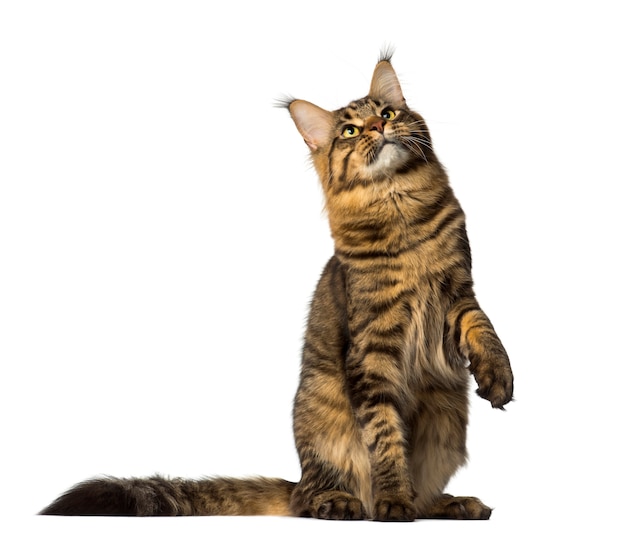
[161, 234]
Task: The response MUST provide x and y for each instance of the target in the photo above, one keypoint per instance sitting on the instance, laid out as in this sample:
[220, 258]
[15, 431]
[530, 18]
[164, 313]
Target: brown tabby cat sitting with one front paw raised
[393, 333]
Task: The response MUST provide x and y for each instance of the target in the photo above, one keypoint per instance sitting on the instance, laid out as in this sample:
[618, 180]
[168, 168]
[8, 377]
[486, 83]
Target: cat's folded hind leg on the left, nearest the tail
[335, 481]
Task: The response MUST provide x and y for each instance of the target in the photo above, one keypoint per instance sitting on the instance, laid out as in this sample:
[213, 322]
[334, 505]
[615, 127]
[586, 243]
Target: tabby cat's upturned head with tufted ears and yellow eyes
[371, 139]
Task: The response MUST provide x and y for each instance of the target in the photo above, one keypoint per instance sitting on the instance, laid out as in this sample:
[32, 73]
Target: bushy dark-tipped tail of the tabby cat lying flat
[158, 496]
